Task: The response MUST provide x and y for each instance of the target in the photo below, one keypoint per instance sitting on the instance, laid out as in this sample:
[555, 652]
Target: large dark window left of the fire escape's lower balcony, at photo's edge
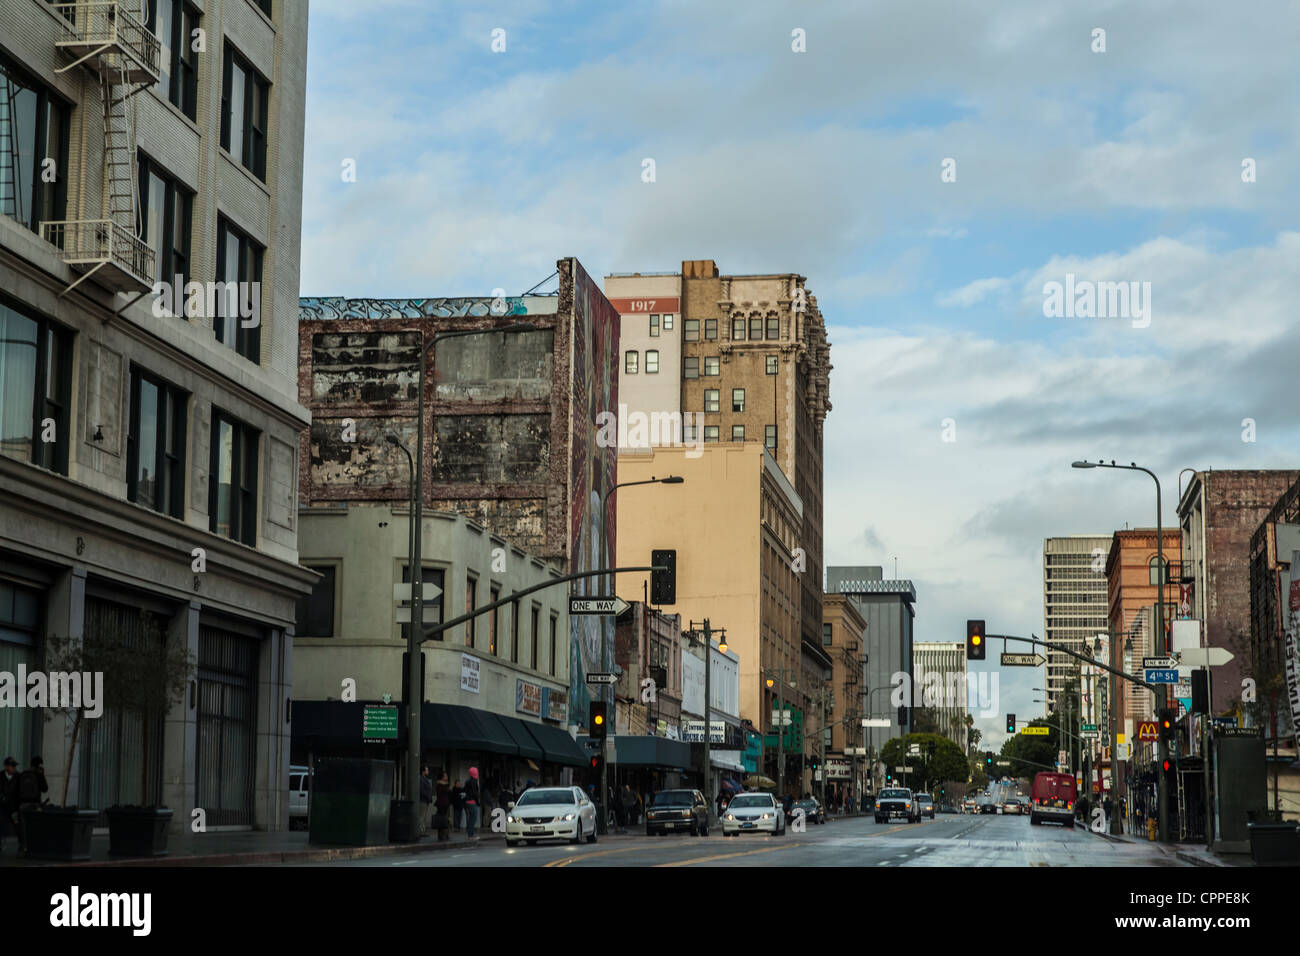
[33, 129]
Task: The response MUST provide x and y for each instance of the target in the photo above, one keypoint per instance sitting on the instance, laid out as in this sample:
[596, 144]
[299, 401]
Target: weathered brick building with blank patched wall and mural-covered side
[512, 432]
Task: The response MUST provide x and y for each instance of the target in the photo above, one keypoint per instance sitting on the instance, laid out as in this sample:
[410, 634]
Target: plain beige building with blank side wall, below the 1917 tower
[735, 524]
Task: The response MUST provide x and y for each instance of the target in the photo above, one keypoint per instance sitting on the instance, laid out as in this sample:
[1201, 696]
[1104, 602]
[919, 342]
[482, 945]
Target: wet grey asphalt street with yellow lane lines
[948, 841]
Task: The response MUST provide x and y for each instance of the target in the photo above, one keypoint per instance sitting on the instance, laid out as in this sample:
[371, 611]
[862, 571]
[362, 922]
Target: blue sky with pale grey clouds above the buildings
[930, 168]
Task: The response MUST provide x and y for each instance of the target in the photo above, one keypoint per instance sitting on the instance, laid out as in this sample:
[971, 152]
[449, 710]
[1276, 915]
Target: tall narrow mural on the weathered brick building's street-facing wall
[595, 469]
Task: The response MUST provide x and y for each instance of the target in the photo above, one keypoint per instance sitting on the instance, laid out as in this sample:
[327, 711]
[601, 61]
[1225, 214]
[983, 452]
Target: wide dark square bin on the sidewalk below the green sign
[352, 802]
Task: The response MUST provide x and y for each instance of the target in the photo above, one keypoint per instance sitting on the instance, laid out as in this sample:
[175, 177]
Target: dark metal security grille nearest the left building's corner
[227, 750]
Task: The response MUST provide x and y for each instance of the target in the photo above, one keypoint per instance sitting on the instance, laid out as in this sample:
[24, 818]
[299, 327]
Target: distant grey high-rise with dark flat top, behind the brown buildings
[889, 609]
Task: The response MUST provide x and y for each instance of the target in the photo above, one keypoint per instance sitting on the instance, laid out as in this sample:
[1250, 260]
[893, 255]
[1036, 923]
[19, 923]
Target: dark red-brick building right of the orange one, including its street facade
[1220, 512]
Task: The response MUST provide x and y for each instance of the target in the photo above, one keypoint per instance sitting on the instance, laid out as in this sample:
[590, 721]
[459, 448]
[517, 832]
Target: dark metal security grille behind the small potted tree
[122, 751]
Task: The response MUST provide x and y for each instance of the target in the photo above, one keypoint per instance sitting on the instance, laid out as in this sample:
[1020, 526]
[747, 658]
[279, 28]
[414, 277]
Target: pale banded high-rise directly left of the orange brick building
[1074, 604]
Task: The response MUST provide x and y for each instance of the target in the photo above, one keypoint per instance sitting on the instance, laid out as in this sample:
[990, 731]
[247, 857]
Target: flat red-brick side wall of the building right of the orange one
[1236, 504]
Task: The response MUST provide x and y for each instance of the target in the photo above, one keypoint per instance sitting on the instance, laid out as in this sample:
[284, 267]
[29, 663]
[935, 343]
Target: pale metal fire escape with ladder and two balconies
[112, 44]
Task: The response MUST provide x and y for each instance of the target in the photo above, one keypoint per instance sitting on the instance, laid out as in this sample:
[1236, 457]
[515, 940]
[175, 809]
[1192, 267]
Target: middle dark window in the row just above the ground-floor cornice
[155, 445]
